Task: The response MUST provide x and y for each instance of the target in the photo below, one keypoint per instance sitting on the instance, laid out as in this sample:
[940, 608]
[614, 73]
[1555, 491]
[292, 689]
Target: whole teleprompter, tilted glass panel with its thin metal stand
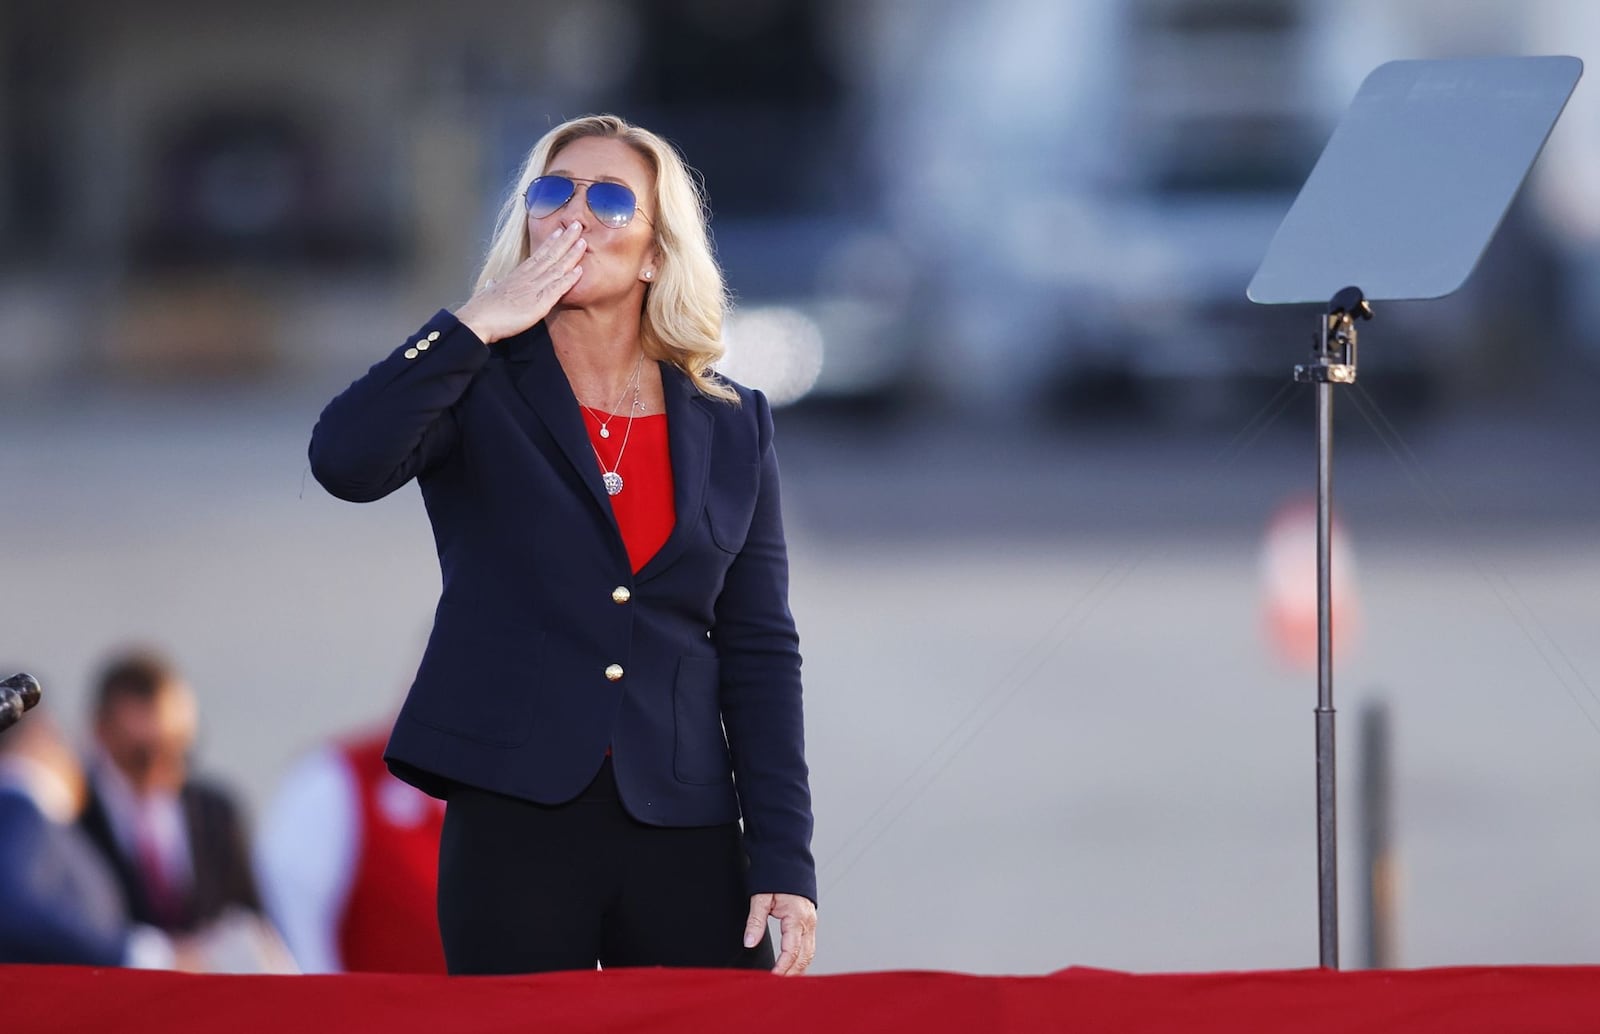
[1406, 198]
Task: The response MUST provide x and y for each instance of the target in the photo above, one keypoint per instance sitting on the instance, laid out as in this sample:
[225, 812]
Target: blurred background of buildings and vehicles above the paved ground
[998, 207]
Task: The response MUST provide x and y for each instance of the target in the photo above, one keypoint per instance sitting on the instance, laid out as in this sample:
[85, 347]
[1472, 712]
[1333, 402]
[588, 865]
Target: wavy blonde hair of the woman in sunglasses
[687, 302]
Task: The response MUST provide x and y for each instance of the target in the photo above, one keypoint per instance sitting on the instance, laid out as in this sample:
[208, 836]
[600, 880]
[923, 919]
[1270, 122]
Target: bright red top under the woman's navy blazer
[644, 508]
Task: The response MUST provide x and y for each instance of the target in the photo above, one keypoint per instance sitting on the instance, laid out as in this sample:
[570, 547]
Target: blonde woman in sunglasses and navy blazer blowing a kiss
[614, 676]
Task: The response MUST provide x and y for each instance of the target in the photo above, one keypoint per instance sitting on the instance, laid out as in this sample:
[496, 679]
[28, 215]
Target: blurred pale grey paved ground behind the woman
[1044, 719]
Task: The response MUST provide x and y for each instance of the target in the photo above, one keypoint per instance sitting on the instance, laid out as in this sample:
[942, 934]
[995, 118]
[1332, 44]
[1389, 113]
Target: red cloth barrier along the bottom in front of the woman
[1462, 1001]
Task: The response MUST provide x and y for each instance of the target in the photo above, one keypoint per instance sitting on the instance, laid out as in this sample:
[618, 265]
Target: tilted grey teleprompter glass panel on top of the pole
[1417, 178]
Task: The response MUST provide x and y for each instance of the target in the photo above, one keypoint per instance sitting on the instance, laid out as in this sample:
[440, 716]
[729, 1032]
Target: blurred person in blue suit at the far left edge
[60, 904]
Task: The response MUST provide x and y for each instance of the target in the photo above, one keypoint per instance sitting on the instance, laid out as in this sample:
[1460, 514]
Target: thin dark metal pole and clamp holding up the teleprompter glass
[1334, 364]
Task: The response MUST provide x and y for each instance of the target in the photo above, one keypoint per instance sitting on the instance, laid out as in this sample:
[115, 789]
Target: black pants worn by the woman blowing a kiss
[527, 889]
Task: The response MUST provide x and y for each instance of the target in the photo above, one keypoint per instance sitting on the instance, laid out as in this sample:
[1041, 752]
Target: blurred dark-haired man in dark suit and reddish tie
[177, 846]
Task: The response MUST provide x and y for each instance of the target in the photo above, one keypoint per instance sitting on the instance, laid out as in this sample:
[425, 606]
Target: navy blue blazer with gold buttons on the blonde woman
[546, 647]
